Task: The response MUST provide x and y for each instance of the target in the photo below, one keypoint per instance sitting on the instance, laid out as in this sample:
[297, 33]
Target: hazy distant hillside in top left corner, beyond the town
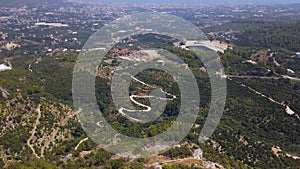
[17, 3]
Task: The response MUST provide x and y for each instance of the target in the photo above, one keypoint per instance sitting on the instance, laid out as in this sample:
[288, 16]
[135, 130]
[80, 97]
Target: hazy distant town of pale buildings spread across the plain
[52, 28]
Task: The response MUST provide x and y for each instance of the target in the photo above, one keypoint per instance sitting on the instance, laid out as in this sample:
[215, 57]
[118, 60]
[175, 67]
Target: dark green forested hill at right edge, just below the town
[277, 35]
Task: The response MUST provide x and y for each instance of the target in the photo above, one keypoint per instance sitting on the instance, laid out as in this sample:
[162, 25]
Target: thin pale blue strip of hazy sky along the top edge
[202, 1]
